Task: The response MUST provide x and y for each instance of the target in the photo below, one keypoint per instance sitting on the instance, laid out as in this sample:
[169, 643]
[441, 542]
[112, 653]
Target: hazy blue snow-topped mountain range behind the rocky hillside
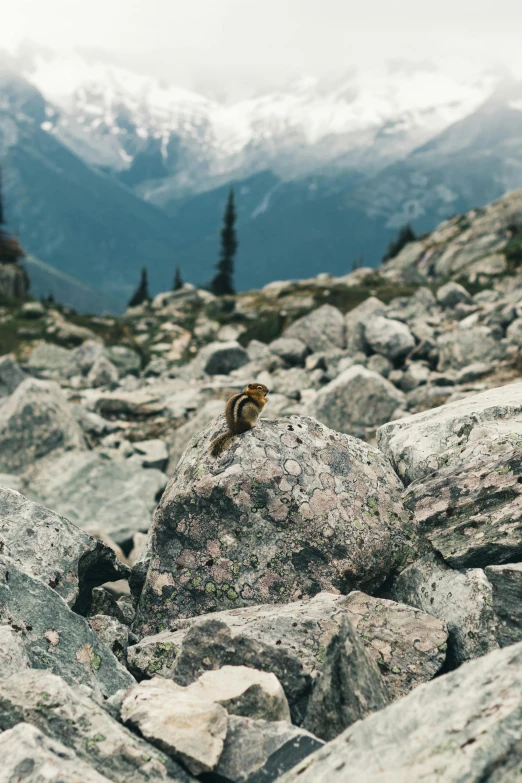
[108, 167]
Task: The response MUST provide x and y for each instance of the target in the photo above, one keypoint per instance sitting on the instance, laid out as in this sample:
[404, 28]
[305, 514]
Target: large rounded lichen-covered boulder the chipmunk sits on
[290, 509]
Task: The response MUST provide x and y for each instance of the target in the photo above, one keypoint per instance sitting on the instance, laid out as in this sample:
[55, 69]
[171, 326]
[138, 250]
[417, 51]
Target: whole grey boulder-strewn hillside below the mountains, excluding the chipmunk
[340, 590]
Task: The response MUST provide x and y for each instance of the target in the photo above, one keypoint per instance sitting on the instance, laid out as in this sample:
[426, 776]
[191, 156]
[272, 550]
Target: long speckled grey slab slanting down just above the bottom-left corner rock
[68, 716]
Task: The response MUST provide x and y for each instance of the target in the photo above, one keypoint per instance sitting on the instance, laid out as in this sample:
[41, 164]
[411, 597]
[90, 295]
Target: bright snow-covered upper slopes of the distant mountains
[121, 120]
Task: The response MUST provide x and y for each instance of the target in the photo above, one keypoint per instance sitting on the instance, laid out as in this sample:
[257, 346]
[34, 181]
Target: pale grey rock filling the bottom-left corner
[29, 755]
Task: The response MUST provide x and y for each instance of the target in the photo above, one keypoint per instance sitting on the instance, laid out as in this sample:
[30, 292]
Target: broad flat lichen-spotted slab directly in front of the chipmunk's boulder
[408, 645]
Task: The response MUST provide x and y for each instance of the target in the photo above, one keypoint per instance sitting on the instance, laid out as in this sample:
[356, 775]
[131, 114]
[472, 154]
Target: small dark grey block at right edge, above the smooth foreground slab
[506, 583]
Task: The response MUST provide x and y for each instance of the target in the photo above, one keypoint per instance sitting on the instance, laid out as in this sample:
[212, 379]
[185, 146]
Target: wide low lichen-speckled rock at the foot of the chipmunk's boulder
[408, 645]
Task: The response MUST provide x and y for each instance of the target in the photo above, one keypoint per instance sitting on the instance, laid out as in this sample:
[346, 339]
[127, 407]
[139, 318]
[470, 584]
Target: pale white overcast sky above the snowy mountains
[258, 42]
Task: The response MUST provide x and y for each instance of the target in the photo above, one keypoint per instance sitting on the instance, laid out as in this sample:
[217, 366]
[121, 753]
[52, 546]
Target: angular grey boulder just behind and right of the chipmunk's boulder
[356, 400]
